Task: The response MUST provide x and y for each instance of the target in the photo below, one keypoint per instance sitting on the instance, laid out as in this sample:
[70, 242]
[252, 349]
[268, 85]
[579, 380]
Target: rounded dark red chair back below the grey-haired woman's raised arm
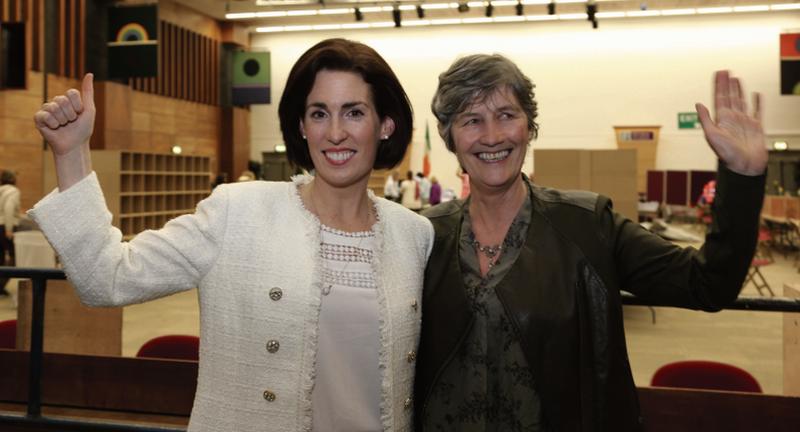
[707, 375]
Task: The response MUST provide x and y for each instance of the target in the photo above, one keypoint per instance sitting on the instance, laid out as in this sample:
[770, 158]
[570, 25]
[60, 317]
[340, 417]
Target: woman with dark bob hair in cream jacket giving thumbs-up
[308, 320]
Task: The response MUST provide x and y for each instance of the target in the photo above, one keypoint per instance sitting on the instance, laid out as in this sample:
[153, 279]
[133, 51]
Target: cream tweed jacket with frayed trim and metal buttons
[252, 250]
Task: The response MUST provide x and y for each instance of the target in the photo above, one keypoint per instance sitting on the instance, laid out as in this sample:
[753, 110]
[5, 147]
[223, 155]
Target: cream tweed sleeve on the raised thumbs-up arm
[109, 272]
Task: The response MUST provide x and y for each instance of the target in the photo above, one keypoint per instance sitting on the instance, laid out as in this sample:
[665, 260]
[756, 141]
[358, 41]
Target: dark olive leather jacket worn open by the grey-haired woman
[563, 295]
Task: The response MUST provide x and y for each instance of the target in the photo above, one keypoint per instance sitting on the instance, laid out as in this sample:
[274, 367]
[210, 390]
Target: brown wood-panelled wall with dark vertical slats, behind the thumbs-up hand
[190, 73]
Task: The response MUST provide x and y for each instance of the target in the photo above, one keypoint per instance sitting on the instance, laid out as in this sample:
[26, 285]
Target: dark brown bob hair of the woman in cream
[346, 56]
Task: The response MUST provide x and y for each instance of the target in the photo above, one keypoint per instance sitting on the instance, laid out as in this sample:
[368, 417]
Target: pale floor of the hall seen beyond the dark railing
[751, 340]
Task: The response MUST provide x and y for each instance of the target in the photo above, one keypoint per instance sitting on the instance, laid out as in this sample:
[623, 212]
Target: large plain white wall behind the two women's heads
[627, 72]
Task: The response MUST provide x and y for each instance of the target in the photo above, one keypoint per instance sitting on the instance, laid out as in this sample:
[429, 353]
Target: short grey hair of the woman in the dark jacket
[471, 79]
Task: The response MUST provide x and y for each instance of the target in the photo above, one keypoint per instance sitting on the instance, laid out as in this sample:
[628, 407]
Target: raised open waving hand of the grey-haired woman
[736, 136]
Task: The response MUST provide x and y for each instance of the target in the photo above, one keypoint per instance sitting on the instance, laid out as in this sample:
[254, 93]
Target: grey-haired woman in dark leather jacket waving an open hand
[522, 317]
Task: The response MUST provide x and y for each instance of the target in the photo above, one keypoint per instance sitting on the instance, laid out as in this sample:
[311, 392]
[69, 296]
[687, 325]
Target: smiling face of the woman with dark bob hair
[342, 128]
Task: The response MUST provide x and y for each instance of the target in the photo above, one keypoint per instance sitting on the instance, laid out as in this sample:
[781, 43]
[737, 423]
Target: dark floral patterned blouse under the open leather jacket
[487, 386]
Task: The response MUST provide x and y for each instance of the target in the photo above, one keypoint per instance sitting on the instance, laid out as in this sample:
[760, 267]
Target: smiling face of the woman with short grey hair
[491, 138]
